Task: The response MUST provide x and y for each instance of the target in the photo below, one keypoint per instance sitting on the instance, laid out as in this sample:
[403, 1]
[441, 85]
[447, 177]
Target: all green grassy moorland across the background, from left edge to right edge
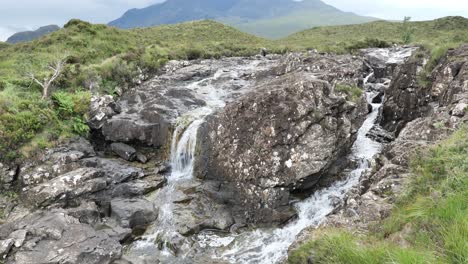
[106, 60]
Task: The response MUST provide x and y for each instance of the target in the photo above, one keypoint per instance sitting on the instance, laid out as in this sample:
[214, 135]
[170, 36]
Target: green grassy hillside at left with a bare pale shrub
[99, 59]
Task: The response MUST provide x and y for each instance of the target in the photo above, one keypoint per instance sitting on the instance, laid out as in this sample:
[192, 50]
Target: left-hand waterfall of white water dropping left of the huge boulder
[183, 146]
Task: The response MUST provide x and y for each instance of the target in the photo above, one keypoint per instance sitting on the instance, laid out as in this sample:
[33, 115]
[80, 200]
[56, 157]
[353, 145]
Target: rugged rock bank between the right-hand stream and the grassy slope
[371, 201]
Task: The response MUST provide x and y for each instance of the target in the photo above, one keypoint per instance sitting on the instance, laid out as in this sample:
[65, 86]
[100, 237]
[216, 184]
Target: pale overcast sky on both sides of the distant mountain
[20, 15]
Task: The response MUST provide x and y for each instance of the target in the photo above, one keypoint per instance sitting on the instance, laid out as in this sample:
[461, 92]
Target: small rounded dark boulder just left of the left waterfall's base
[133, 213]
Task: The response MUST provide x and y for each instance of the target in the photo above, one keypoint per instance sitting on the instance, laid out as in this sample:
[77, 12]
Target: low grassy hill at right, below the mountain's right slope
[450, 31]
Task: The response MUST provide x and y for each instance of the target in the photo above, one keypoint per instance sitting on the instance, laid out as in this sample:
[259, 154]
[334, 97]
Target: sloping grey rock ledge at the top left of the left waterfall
[149, 111]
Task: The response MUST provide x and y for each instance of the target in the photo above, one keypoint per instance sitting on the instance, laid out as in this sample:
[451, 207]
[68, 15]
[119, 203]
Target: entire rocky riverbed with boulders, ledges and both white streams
[187, 166]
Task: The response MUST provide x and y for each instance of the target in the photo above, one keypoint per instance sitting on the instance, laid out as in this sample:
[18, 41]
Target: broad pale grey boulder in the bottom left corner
[55, 237]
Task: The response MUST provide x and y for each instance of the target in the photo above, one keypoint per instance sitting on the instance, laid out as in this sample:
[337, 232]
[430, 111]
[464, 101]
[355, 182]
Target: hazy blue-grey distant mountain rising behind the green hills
[266, 18]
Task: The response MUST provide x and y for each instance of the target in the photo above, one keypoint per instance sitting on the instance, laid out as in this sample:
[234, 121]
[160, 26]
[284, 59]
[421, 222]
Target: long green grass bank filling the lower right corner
[429, 224]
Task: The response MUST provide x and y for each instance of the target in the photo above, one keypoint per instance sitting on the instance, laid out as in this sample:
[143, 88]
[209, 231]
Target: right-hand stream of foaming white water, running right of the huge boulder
[271, 245]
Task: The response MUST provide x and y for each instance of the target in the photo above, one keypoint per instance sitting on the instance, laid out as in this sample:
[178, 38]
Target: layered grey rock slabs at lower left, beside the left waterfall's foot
[74, 207]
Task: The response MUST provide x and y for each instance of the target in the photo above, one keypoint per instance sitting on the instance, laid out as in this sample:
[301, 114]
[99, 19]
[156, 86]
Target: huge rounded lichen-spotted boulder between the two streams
[282, 136]
